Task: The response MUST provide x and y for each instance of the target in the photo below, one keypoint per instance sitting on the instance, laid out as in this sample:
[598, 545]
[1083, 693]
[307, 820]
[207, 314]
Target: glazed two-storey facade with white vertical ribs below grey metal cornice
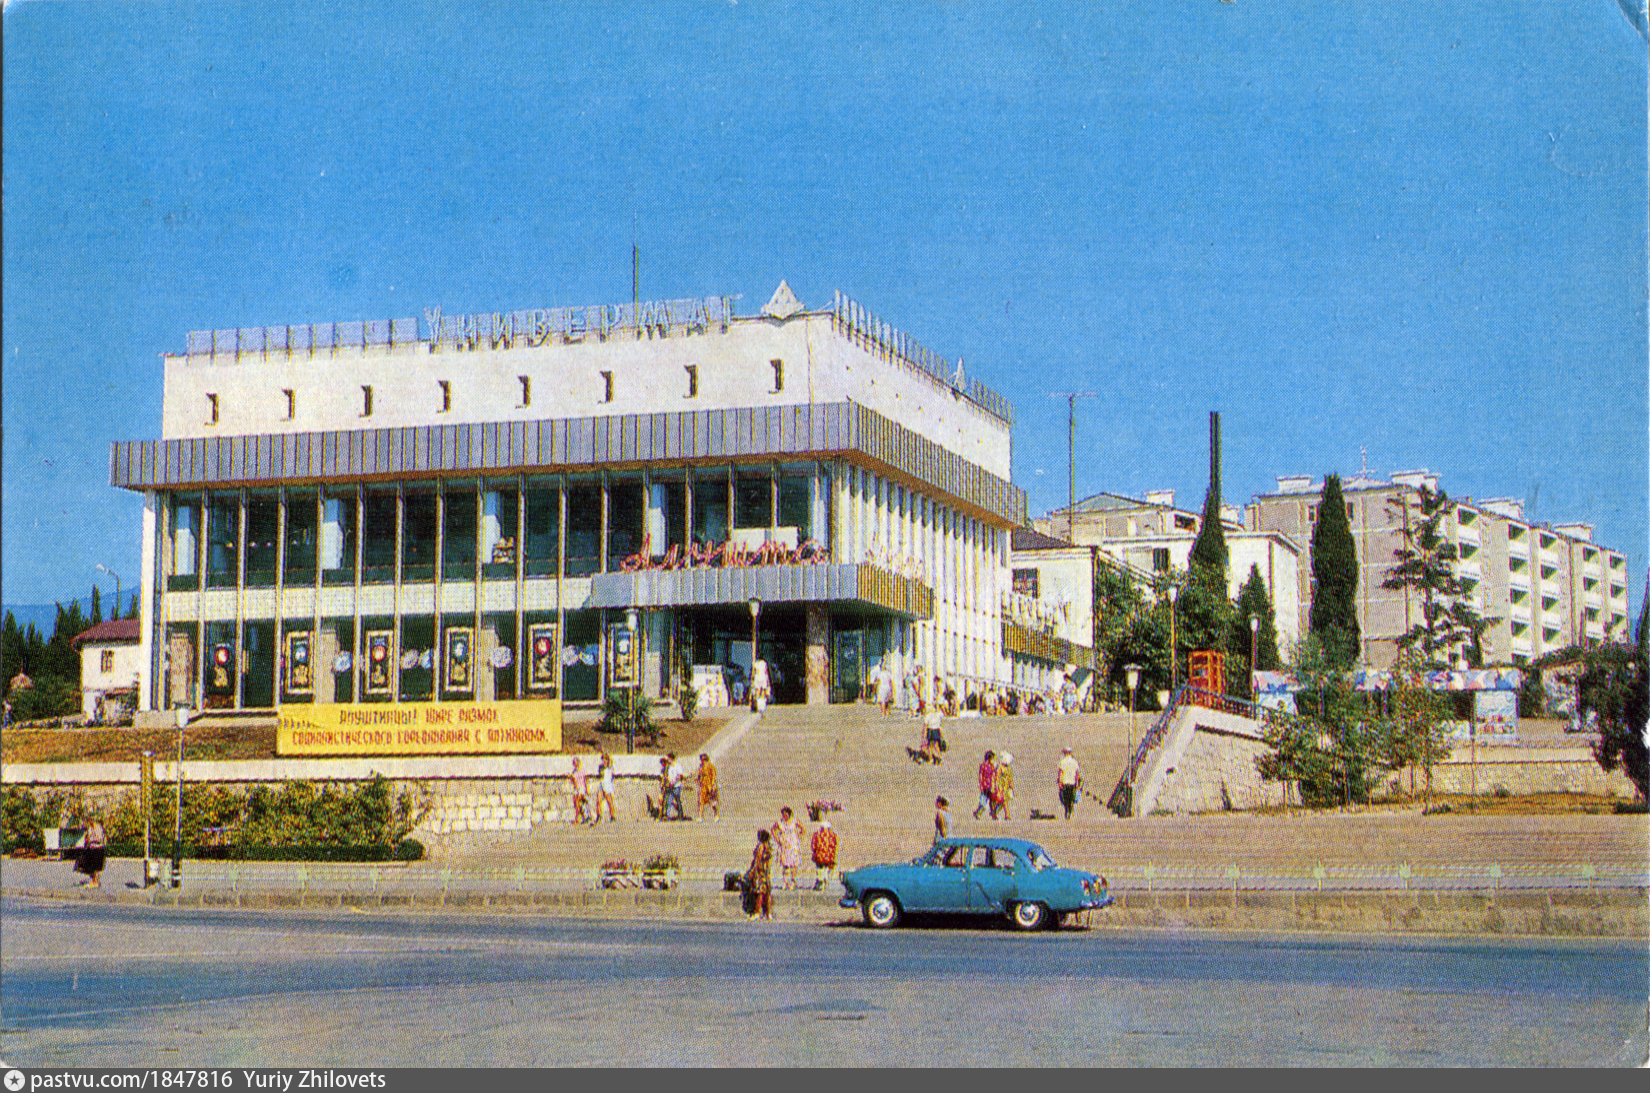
[526, 549]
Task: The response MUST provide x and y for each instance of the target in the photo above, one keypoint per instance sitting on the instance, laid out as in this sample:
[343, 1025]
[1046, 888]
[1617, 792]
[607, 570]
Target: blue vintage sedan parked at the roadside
[976, 876]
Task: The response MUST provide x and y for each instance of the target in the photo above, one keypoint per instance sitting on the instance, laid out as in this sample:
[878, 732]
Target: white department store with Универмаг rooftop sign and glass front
[478, 508]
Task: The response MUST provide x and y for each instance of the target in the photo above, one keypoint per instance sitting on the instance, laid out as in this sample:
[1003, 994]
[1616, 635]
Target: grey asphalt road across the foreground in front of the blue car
[141, 987]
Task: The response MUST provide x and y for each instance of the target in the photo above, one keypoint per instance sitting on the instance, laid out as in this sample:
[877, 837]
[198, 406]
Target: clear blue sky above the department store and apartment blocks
[1410, 229]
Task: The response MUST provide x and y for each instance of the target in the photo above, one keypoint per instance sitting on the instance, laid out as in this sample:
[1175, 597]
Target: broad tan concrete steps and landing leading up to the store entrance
[857, 757]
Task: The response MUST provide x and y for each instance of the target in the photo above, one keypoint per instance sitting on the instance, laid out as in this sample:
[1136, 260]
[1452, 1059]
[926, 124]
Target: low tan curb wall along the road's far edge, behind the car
[1568, 914]
